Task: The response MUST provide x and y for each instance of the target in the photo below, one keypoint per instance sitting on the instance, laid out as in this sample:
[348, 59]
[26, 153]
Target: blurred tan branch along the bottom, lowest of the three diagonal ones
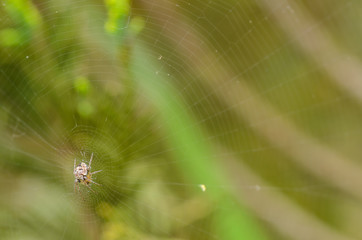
[286, 216]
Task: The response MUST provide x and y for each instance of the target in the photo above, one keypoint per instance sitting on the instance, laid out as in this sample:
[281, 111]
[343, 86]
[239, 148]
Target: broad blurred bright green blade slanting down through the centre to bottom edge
[195, 157]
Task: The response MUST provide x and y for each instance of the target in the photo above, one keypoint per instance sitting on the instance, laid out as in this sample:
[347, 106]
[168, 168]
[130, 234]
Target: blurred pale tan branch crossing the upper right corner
[306, 33]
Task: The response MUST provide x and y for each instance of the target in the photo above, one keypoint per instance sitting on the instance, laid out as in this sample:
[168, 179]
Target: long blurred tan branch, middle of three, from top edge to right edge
[279, 131]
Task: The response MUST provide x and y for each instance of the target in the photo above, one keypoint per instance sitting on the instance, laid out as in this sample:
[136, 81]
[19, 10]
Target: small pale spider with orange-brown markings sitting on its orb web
[83, 174]
